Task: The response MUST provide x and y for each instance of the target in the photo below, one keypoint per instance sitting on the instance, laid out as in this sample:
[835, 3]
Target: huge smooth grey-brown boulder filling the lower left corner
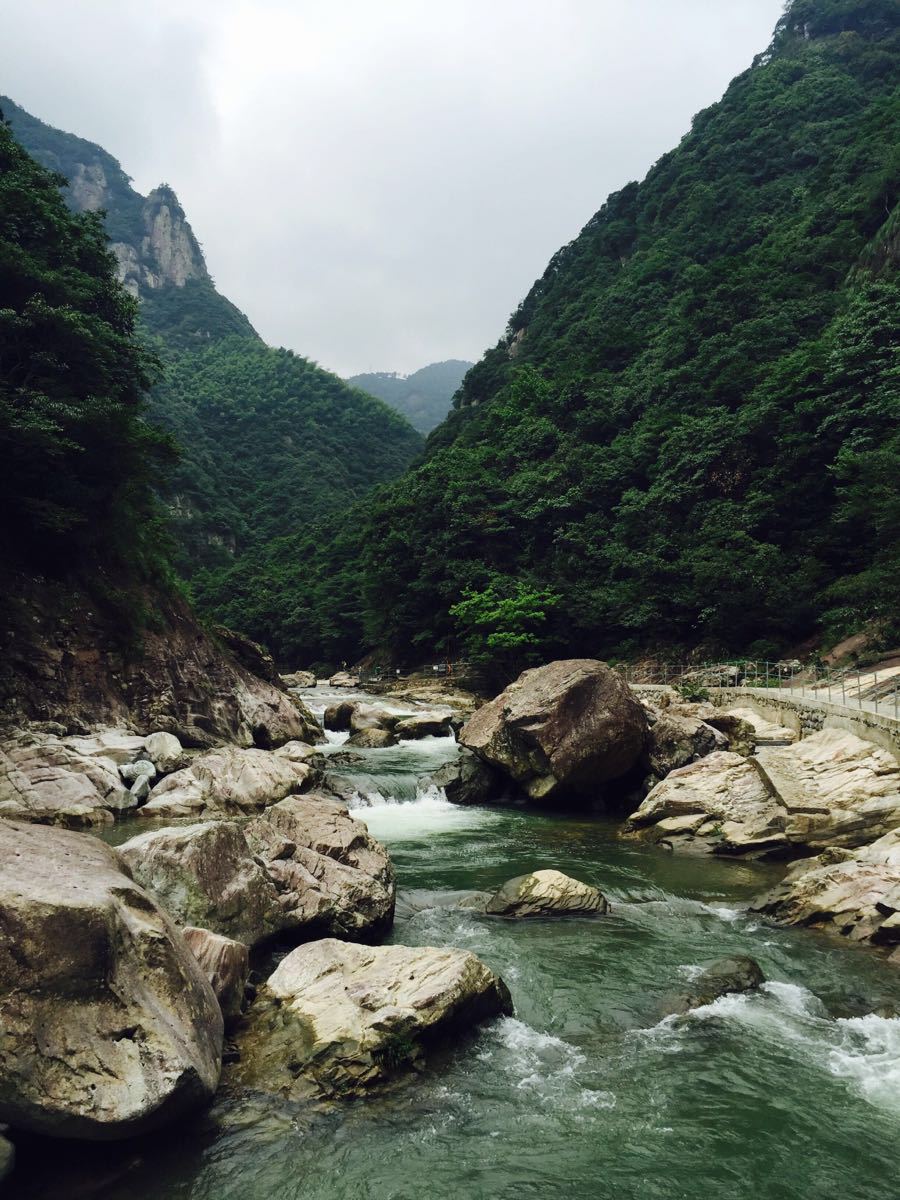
[110, 1028]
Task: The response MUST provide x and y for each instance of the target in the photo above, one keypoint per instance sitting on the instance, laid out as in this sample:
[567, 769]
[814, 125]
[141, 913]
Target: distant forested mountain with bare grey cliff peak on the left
[269, 442]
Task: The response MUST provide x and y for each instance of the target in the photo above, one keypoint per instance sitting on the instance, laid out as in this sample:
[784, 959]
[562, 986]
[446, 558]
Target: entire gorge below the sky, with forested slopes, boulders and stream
[352, 842]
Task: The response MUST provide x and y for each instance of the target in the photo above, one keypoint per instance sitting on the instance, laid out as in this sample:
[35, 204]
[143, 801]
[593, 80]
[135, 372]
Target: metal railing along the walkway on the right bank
[855, 688]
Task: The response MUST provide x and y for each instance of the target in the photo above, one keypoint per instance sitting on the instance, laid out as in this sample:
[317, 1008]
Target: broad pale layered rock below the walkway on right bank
[832, 789]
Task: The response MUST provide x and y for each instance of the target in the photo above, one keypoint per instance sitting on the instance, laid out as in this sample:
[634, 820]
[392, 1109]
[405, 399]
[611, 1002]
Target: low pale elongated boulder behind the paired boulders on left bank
[229, 782]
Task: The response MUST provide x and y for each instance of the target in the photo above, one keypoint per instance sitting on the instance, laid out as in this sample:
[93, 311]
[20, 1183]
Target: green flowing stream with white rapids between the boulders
[793, 1094]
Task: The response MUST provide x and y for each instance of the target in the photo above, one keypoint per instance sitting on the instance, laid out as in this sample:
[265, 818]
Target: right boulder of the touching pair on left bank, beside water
[332, 877]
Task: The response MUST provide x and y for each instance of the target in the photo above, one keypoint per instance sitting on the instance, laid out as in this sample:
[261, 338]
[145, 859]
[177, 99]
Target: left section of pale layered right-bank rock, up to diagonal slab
[721, 803]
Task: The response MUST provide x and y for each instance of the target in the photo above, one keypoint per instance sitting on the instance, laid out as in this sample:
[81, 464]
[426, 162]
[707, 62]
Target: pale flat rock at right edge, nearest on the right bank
[855, 893]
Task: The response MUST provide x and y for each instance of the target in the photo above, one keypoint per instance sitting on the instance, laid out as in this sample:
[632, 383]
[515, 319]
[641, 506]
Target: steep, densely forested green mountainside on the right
[688, 435]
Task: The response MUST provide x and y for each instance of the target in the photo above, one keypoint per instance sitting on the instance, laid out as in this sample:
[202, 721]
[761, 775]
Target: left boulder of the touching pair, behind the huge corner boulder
[206, 875]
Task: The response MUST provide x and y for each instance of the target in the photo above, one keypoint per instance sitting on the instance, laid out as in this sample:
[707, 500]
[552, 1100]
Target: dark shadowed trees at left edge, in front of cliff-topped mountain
[79, 457]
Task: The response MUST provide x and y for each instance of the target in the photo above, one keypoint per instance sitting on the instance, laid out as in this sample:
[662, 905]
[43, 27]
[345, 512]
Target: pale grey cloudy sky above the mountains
[377, 183]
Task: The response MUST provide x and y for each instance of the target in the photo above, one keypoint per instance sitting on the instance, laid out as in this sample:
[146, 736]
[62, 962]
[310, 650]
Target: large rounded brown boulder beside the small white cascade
[561, 730]
